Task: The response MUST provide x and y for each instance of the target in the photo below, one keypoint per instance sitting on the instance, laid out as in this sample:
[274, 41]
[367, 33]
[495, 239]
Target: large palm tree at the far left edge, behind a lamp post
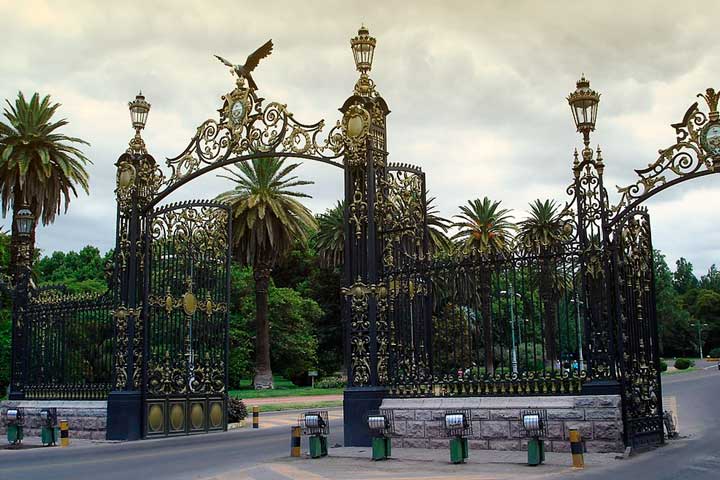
[39, 167]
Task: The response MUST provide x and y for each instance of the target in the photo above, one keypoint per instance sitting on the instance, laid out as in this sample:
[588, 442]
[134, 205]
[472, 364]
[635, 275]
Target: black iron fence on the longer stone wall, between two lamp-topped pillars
[487, 325]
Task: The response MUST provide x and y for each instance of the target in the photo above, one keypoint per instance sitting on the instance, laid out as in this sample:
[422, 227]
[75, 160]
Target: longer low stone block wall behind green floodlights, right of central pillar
[497, 424]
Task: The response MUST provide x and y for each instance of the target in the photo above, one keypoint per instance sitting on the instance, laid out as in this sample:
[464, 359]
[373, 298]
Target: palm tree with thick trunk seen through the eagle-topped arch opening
[267, 220]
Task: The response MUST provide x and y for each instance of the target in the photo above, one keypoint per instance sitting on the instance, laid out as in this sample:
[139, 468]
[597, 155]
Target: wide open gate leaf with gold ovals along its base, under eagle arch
[185, 315]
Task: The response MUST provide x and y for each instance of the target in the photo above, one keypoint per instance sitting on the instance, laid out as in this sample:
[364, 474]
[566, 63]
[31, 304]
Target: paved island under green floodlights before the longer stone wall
[411, 463]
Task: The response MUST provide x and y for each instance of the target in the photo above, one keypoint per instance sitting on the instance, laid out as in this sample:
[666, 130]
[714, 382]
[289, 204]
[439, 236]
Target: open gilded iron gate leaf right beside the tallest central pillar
[404, 327]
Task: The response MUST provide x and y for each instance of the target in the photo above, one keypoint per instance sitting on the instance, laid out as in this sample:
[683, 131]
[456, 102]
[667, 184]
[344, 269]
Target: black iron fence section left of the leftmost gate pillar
[65, 347]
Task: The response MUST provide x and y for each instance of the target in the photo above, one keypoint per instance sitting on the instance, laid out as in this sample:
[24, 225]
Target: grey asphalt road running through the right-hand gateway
[696, 455]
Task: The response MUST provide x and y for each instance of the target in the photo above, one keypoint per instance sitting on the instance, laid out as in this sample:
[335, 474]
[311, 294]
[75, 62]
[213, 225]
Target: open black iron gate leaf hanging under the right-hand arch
[639, 358]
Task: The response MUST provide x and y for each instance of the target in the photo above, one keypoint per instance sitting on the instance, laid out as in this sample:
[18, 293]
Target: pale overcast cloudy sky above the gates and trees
[477, 91]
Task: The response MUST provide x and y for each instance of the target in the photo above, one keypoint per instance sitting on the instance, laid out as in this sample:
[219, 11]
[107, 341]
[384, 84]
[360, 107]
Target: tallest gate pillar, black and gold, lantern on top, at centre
[365, 134]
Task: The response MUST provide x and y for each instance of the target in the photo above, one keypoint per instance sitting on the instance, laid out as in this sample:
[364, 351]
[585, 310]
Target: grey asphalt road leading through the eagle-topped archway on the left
[199, 456]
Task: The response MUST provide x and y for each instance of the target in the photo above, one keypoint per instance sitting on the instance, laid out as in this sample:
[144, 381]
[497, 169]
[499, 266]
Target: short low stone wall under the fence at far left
[87, 419]
